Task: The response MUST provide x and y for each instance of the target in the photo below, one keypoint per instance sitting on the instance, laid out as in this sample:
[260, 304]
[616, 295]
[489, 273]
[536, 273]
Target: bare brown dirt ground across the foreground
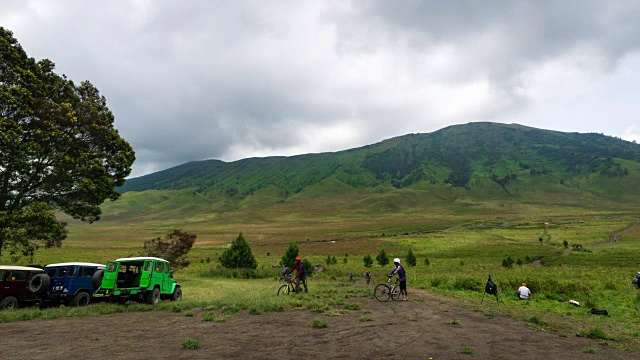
[426, 326]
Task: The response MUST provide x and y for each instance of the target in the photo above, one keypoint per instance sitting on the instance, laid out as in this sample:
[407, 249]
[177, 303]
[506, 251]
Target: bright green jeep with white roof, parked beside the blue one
[138, 278]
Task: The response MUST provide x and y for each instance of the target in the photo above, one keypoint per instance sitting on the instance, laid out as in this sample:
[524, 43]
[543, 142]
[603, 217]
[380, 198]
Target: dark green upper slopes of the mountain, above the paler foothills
[454, 155]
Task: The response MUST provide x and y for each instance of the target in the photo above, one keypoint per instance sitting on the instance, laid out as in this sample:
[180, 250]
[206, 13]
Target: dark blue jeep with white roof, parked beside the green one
[68, 284]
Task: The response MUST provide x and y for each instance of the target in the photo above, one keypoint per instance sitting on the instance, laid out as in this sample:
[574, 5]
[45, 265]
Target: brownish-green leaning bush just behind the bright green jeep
[173, 247]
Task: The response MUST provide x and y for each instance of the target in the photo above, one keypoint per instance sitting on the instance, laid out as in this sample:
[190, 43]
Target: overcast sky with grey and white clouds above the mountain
[194, 80]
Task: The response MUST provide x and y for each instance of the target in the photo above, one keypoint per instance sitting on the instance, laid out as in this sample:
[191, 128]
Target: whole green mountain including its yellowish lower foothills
[476, 165]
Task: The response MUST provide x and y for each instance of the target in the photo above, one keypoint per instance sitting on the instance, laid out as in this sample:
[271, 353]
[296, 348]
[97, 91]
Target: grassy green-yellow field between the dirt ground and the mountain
[462, 249]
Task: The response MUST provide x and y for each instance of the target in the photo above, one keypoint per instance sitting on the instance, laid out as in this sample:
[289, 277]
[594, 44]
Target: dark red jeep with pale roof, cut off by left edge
[14, 286]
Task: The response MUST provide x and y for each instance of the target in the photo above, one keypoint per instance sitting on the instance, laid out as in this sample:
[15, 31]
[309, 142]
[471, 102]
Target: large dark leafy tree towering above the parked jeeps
[59, 151]
